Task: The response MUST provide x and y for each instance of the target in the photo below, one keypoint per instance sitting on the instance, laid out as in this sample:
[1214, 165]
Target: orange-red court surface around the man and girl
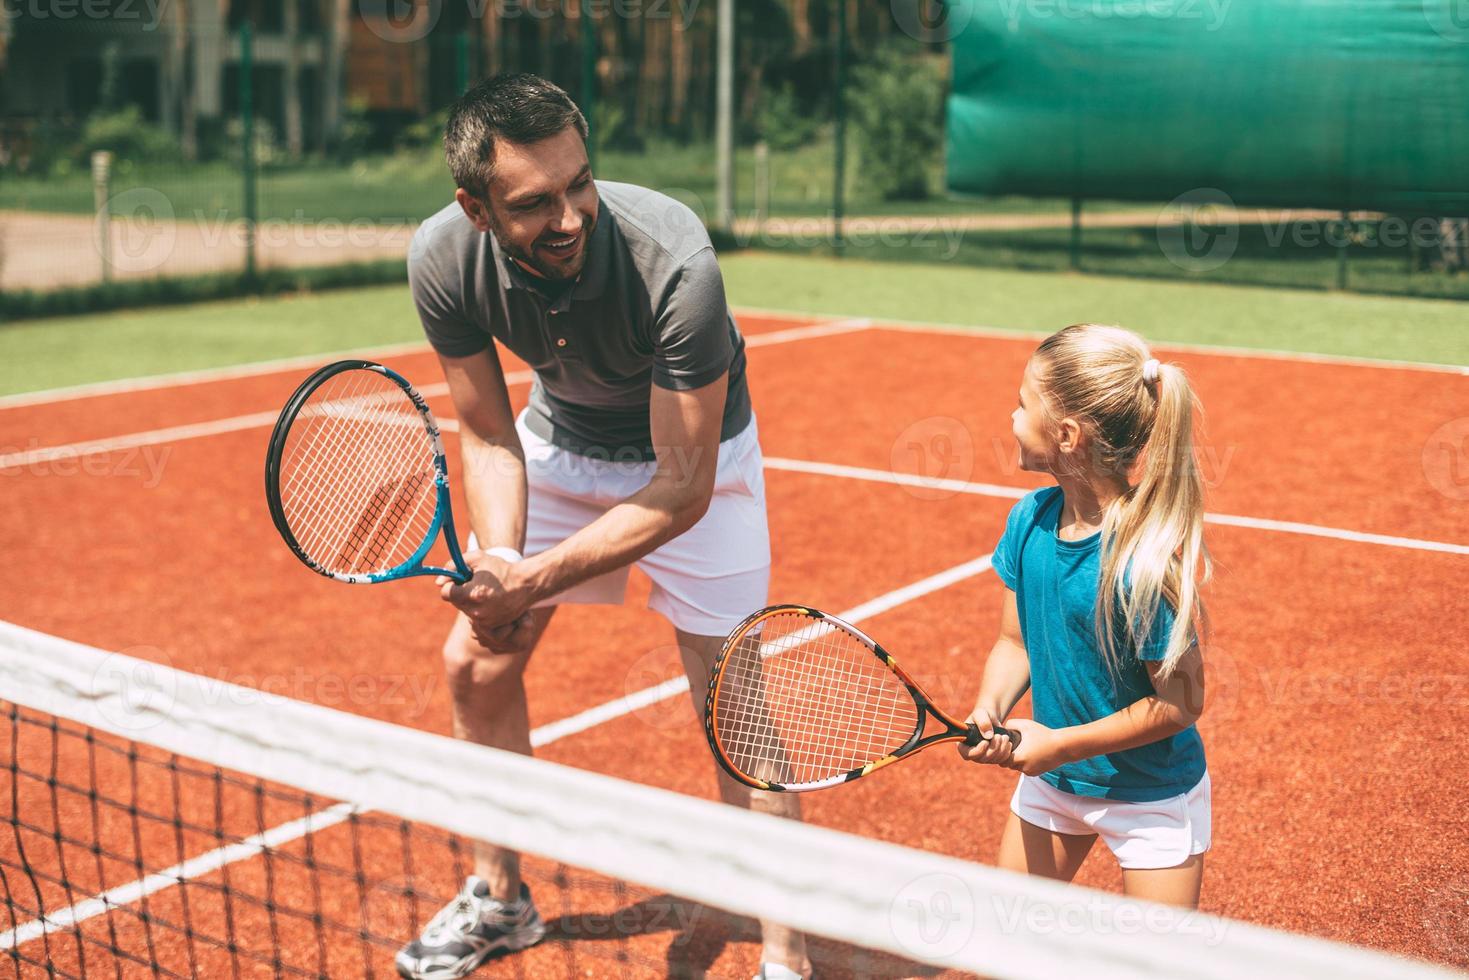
[1339, 691]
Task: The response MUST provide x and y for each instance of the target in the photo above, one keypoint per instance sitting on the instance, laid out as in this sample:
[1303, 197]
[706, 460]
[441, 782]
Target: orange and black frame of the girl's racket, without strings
[954, 731]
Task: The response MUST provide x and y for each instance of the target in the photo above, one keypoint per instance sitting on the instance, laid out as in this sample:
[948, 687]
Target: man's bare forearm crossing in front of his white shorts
[627, 533]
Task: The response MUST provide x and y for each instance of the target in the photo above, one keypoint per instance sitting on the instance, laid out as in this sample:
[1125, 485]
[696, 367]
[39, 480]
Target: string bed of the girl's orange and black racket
[803, 700]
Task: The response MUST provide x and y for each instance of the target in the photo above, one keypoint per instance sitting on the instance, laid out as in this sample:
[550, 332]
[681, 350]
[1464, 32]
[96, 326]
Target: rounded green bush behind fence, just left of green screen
[898, 114]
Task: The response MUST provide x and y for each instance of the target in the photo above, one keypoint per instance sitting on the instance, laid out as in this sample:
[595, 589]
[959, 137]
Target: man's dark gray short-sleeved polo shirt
[649, 309]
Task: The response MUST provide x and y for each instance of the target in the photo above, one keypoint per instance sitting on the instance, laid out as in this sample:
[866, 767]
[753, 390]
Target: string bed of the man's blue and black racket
[359, 477]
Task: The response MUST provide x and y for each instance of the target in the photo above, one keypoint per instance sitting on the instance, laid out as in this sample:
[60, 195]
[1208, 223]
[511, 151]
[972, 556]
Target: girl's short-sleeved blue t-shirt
[1055, 586]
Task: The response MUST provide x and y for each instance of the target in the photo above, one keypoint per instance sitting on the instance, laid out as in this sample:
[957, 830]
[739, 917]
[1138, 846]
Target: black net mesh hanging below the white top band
[137, 859]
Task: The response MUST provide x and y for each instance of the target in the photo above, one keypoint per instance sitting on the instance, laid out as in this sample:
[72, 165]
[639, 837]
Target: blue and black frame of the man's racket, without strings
[443, 511]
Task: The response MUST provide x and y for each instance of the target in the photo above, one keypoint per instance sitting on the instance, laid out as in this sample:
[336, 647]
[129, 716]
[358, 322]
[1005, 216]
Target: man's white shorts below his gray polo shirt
[707, 580]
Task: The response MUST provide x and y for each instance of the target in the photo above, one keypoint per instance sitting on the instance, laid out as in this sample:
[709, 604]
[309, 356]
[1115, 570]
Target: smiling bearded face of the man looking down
[543, 205]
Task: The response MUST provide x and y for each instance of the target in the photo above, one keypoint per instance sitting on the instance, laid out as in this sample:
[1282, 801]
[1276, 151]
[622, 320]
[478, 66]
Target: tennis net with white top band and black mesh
[161, 824]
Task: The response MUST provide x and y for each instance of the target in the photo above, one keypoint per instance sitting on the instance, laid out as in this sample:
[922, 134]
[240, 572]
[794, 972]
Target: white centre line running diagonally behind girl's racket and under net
[331, 816]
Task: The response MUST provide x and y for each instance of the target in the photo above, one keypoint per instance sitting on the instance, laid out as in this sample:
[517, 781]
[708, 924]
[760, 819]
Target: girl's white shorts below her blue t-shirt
[1161, 834]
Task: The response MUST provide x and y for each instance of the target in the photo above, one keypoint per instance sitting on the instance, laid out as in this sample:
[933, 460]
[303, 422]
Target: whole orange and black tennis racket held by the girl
[800, 700]
